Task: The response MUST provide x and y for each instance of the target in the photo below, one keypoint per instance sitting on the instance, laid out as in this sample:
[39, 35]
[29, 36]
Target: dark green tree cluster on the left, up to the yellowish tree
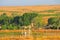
[16, 22]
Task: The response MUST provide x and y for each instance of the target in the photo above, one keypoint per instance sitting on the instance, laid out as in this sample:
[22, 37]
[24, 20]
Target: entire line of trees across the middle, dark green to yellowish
[17, 22]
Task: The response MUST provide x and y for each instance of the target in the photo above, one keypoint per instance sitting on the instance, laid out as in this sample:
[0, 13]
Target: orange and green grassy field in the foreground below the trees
[36, 35]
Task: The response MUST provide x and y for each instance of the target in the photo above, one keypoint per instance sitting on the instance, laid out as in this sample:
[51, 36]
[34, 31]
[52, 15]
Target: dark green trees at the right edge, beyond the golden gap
[53, 23]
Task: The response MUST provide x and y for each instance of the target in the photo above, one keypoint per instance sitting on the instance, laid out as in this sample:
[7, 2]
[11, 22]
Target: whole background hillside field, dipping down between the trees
[45, 11]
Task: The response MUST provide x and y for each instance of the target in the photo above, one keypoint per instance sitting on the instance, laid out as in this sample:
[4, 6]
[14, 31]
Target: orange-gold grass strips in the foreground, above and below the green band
[55, 36]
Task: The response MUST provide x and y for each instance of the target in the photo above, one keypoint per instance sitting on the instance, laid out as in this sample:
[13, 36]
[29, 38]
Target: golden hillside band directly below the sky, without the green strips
[22, 9]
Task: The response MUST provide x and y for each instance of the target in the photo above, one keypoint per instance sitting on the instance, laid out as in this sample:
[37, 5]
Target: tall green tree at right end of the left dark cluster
[28, 17]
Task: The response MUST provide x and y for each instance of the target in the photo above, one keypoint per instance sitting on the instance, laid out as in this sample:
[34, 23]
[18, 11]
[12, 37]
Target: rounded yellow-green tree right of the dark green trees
[38, 22]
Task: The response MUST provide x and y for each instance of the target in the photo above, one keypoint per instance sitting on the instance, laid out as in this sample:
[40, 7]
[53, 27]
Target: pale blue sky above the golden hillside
[28, 2]
